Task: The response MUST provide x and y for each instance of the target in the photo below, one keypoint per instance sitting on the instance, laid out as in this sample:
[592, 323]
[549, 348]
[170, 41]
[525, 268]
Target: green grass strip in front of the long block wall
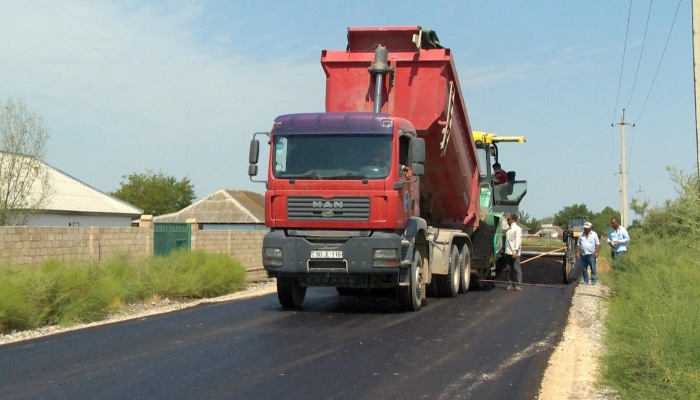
[67, 293]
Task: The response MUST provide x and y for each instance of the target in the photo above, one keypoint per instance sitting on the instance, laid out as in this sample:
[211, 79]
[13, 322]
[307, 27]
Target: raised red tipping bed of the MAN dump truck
[423, 89]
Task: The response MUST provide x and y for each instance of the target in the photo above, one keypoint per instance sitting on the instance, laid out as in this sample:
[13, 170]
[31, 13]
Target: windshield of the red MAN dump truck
[332, 156]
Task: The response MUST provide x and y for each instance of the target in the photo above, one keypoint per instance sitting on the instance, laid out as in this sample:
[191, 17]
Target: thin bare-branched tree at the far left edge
[24, 178]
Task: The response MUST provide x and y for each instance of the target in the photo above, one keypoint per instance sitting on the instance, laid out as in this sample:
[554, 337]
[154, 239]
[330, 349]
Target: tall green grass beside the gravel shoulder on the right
[653, 321]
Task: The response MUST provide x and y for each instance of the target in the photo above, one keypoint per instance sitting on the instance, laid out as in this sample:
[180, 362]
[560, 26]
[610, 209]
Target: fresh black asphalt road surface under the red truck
[491, 344]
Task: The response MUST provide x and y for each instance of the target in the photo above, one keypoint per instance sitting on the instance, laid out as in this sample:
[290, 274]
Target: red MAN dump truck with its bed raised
[383, 189]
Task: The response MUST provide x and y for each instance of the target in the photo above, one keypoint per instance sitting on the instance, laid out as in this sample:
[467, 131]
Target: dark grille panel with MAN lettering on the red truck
[319, 209]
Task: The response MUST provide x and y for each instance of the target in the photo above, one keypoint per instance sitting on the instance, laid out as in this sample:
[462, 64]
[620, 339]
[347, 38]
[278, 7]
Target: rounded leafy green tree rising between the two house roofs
[156, 193]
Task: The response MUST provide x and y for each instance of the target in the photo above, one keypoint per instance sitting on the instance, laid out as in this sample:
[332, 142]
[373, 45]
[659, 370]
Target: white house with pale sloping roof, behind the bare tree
[73, 203]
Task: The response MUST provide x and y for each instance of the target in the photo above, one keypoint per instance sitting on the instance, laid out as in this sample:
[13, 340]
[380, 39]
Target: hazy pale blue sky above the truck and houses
[181, 86]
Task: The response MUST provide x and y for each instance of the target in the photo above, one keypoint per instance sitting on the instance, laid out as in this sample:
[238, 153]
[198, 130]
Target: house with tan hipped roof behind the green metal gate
[224, 209]
